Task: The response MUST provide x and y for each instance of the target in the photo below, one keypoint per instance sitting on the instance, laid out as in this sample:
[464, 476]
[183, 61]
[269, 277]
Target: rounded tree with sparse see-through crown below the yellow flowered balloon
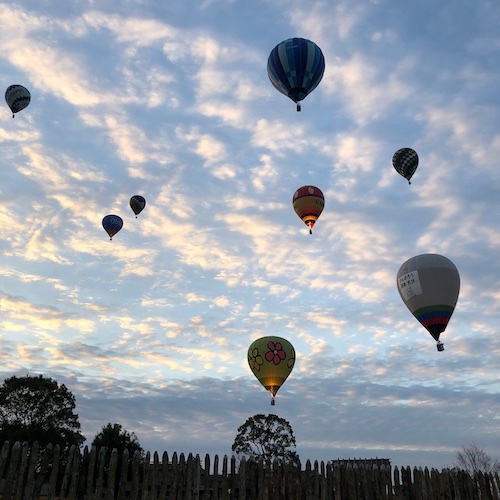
[266, 438]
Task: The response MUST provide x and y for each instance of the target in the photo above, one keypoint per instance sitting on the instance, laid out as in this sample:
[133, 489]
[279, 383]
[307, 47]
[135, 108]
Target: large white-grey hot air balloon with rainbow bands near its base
[429, 285]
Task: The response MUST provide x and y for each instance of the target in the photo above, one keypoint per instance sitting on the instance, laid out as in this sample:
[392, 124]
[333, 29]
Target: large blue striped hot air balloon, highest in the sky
[295, 68]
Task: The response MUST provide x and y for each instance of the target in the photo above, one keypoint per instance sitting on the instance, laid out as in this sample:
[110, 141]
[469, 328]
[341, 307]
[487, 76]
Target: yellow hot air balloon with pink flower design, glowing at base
[271, 360]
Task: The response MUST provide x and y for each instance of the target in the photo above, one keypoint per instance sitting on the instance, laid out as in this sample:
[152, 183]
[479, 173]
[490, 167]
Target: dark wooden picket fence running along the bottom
[26, 474]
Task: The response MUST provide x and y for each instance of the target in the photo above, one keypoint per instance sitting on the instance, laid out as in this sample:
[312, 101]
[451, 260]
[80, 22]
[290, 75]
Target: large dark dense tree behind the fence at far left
[38, 409]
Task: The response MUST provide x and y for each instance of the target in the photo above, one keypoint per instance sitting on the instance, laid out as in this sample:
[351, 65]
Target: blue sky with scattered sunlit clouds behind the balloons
[171, 100]
